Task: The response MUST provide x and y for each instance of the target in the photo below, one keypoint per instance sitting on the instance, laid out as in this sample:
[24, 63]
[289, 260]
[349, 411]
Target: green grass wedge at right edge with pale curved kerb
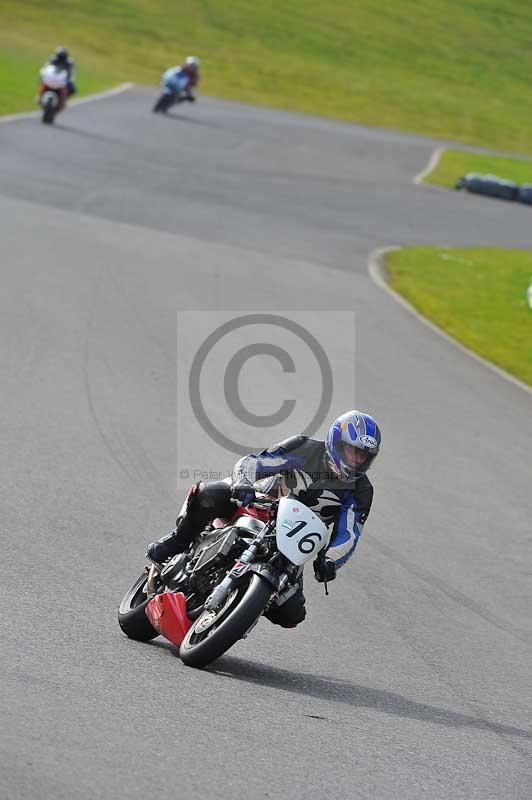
[477, 295]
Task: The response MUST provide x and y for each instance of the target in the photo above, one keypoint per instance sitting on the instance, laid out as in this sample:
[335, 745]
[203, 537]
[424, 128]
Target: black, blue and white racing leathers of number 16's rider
[297, 465]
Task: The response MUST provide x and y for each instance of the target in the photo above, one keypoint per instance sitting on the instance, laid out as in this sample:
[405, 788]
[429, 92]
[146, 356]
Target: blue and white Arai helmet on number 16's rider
[359, 430]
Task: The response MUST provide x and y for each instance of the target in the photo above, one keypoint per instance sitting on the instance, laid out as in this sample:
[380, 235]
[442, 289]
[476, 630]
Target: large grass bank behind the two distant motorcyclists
[447, 68]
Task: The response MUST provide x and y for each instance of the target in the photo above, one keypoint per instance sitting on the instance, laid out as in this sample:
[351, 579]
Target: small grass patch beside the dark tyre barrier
[453, 164]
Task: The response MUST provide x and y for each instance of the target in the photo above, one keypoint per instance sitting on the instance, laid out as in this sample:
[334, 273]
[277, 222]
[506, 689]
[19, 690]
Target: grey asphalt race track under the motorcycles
[414, 677]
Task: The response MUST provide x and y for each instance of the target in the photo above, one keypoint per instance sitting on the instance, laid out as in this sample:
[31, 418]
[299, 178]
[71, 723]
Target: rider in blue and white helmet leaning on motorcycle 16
[327, 476]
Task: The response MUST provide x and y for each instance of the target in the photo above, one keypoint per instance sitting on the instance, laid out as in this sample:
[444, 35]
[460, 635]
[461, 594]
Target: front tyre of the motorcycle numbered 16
[212, 636]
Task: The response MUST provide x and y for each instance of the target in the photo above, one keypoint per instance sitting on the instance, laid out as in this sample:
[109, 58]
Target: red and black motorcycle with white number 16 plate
[206, 599]
